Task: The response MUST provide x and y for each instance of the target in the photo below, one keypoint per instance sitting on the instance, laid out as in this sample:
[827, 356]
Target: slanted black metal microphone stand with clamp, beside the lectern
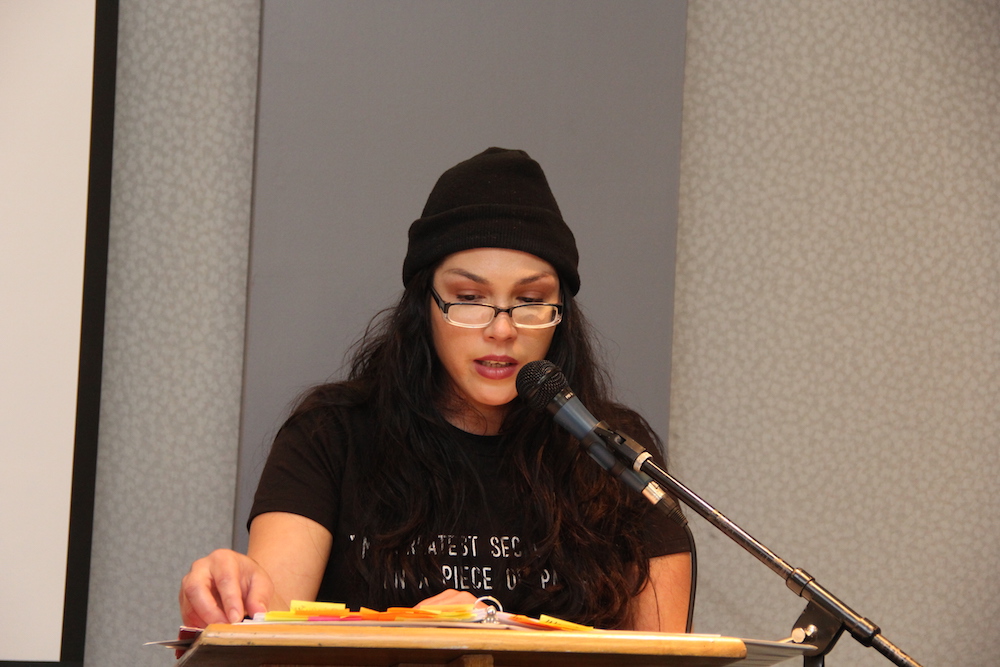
[824, 618]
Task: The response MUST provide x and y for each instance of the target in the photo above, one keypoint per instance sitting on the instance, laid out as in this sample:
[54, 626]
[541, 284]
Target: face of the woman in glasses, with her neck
[482, 364]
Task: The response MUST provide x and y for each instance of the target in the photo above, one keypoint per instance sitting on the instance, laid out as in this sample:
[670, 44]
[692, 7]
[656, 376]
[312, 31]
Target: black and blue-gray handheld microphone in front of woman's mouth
[543, 386]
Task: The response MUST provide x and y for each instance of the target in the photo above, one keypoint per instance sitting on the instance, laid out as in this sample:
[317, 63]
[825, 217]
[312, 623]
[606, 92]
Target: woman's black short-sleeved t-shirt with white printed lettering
[315, 470]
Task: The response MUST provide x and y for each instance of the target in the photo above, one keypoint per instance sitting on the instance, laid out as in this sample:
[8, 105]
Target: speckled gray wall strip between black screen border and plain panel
[173, 354]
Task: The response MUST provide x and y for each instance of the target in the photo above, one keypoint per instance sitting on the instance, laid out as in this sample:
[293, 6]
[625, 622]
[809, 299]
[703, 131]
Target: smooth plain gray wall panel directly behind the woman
[363, 105]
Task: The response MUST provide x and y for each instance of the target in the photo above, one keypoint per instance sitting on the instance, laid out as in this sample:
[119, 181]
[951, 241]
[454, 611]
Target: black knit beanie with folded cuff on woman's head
[497, 199]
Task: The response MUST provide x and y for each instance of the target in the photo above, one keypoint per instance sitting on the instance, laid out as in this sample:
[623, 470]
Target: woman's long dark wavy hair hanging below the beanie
[581, 522]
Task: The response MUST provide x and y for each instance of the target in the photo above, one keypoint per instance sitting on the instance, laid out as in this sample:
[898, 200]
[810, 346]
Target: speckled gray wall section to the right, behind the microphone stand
[837, 331]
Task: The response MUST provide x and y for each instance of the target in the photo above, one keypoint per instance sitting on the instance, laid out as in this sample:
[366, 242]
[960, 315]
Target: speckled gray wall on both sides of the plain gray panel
[837, 336]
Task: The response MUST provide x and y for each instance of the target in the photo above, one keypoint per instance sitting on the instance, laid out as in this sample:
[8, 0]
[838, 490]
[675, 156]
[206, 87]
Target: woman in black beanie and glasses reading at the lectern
[422, 477]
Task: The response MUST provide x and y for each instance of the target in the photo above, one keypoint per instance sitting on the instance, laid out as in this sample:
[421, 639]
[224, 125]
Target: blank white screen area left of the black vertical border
[46, 79]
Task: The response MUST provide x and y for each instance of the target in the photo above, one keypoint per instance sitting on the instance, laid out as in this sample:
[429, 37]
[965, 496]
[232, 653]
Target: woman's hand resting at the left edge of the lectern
[223, 587]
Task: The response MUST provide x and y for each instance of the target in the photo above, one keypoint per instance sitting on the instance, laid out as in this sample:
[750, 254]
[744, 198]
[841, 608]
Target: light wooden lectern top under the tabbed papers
[300, 645]
